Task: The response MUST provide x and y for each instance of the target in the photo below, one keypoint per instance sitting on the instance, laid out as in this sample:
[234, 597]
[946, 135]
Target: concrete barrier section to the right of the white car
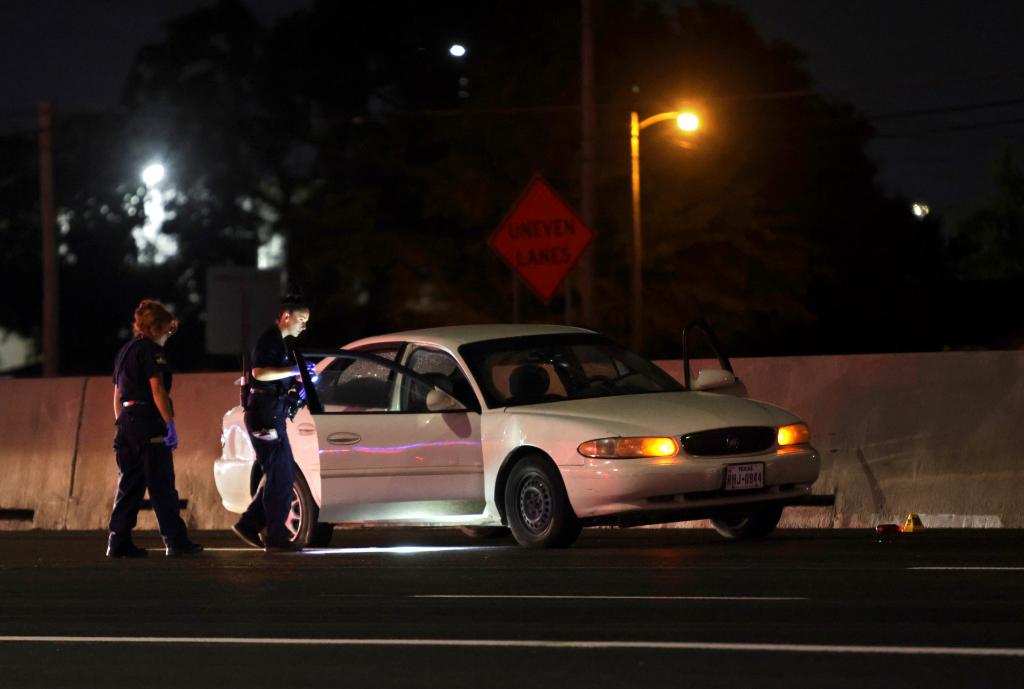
[938, 435]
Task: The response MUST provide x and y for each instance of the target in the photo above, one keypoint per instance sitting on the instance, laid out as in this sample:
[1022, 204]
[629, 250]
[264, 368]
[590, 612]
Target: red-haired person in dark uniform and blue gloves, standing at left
[146, 437]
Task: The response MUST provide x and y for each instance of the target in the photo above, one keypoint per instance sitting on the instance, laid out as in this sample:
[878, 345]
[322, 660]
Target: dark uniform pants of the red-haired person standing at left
[144, 466]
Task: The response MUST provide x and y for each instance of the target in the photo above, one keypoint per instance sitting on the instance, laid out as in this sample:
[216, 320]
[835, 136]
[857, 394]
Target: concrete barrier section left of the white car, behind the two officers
[57, 457]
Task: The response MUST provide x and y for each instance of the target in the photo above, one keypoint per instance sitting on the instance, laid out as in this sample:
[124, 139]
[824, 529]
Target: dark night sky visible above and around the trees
[962, 59]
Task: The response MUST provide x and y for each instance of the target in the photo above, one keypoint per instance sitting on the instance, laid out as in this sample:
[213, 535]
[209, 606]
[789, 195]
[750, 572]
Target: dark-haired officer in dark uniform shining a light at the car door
[267, 409]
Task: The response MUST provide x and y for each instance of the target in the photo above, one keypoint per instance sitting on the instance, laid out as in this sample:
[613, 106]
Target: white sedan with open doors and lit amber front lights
[540, 430]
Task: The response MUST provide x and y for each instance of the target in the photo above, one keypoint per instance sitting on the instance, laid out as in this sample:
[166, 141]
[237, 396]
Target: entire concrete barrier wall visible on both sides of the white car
[940, 435]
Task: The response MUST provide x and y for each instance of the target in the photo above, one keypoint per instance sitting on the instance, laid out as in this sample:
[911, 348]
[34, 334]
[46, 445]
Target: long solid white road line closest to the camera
[536, 643]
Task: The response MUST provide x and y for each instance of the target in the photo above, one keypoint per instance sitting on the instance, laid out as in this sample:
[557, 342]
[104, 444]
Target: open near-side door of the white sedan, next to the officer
[385, 455]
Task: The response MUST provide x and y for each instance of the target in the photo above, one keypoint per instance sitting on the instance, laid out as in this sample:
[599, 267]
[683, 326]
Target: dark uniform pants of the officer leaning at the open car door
[273, 503]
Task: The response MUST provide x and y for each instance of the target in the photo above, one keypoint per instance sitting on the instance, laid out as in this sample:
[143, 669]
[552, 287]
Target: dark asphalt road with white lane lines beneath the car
[434, 609]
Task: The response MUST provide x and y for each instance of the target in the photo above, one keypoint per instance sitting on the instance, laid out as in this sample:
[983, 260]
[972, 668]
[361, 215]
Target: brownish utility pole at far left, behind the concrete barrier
[48, 214]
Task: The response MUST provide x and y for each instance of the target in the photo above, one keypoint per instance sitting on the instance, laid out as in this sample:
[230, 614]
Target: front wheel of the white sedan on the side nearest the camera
[537, 506]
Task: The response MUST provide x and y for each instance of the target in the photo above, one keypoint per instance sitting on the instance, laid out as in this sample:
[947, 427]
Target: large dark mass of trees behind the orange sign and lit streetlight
[347, 135]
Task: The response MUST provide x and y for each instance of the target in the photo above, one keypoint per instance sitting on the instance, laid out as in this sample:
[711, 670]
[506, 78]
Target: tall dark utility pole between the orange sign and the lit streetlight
[587, 262]
